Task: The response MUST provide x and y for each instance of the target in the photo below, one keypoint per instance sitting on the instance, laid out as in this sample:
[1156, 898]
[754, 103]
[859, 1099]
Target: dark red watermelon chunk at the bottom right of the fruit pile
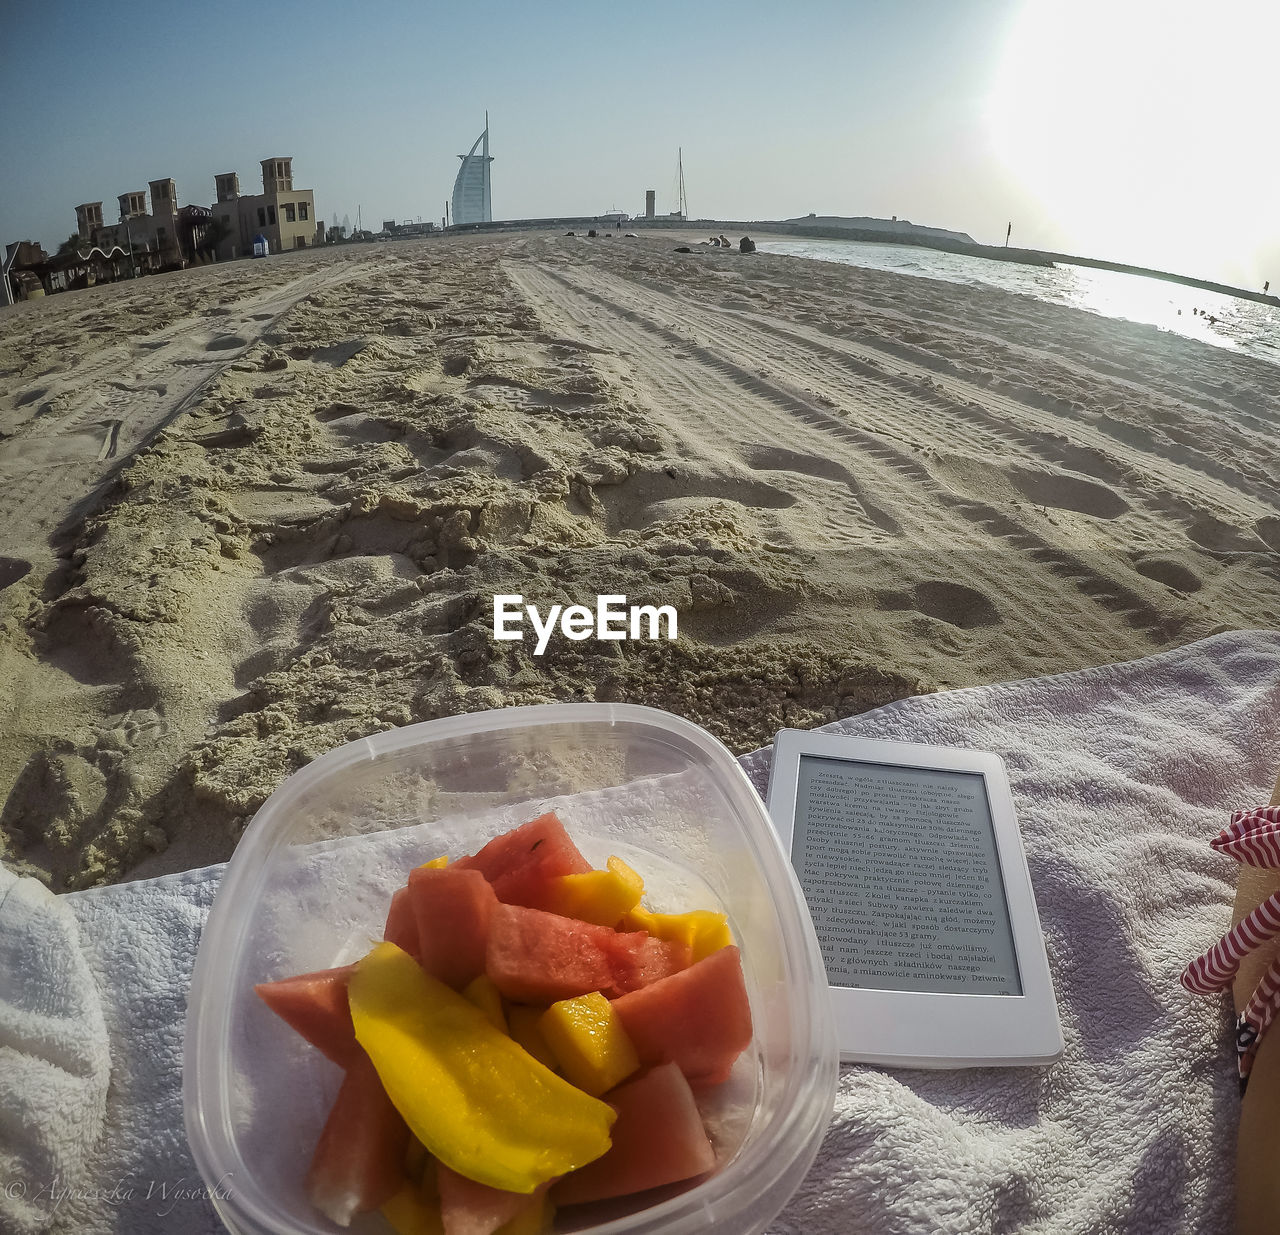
[659, 1138]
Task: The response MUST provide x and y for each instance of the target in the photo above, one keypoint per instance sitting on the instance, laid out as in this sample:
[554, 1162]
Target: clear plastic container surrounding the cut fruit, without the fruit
[312, 880]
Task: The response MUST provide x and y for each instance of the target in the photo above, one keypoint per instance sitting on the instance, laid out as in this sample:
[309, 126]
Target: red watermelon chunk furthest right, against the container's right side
[700, 1018]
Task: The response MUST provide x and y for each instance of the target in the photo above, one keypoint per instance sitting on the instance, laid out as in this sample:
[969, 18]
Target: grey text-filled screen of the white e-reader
[902, 873]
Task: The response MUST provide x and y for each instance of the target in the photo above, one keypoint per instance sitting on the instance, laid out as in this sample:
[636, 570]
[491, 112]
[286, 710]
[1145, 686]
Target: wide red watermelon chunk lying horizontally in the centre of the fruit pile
[540, 958]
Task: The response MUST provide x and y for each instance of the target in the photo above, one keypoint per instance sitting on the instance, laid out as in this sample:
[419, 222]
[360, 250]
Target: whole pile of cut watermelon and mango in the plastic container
[528, 1036]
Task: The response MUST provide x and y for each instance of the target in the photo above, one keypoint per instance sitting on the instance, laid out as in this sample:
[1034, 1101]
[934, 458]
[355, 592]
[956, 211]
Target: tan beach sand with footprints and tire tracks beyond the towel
[254, 511]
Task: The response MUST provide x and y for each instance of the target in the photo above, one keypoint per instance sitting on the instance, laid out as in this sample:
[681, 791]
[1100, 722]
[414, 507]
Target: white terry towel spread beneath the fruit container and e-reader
[1121, 777]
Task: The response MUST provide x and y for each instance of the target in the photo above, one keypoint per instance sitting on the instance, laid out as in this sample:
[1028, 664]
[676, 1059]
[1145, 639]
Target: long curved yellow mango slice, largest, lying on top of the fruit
[478, 1101]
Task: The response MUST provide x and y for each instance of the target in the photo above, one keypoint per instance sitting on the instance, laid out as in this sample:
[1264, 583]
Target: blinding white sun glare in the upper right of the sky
[1145, 127]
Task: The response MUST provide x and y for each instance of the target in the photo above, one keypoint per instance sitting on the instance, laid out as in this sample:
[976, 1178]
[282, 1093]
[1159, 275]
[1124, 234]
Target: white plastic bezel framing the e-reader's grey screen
[930, 1030]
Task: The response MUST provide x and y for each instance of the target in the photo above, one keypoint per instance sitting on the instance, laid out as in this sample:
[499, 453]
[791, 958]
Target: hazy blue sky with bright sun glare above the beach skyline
[1137, 131]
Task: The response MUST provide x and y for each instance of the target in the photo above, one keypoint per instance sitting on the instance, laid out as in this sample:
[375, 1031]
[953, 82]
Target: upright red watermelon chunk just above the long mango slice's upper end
[452, 909]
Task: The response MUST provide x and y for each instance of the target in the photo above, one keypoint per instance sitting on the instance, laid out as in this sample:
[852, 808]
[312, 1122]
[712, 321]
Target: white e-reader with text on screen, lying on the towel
[912, 864]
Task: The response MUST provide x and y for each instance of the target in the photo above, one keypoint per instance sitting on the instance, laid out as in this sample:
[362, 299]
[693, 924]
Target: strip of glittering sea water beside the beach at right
[1244, 326]
